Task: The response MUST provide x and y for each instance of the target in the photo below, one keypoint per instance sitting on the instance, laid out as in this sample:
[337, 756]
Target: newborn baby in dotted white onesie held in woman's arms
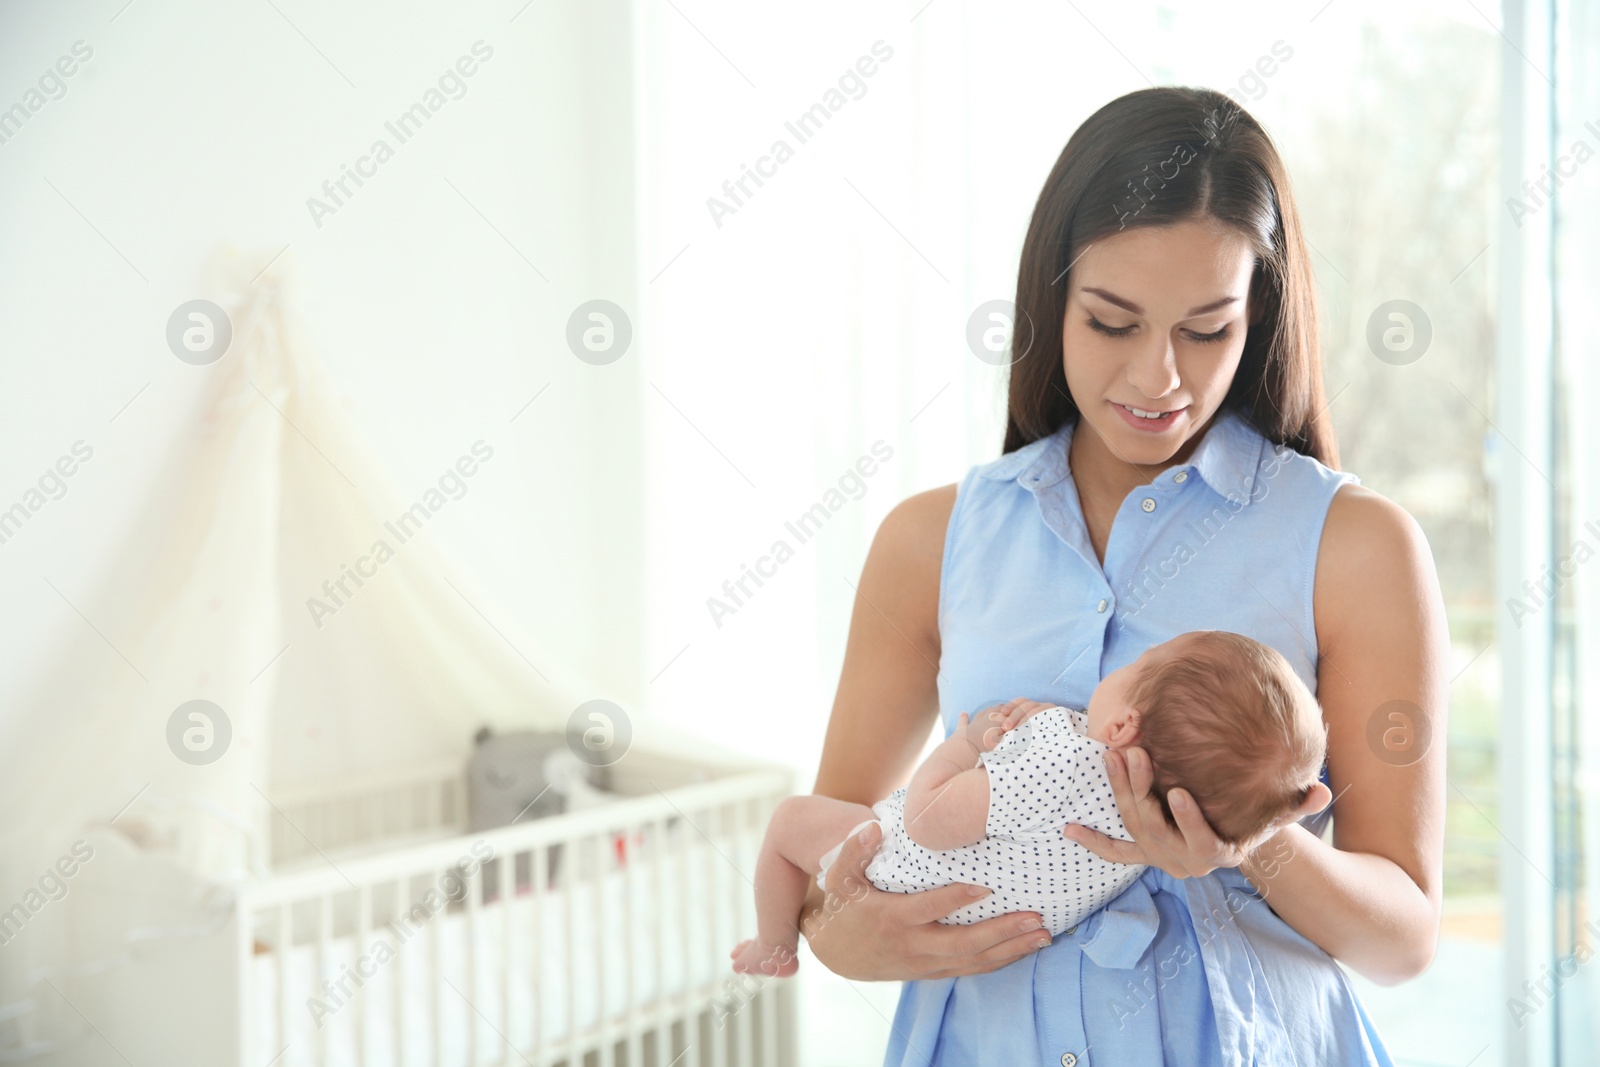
[1220, 716]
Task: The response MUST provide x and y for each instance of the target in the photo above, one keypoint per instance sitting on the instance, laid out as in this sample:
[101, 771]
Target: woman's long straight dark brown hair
[1158, 158]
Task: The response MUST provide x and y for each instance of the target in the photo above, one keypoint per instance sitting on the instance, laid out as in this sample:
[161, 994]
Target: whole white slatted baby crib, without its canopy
[596, 938]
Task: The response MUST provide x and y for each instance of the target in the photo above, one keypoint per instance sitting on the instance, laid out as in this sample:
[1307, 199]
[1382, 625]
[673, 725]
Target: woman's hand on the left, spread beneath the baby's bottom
[870, 935]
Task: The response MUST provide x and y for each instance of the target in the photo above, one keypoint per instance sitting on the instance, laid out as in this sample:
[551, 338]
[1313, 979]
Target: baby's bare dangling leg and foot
[802, 829]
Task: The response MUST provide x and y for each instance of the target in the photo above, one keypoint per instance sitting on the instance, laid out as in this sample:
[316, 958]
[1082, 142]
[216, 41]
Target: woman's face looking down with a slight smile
[1177, 303]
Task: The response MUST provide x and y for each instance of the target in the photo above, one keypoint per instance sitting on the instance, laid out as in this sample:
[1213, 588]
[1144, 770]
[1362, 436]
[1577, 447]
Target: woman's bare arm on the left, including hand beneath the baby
[886, 706]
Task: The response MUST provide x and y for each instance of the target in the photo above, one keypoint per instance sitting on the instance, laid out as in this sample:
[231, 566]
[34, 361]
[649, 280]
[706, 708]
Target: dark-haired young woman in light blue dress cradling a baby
[1169, 466]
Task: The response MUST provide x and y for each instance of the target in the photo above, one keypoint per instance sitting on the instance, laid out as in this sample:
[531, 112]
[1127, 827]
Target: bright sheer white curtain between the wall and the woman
[822, 314]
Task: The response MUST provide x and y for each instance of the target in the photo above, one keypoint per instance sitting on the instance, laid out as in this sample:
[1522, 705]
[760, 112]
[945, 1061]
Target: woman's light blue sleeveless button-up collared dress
[1175, 970]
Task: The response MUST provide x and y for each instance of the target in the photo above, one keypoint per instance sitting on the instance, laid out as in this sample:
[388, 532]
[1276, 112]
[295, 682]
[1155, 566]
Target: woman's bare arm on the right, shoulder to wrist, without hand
[1372, 900]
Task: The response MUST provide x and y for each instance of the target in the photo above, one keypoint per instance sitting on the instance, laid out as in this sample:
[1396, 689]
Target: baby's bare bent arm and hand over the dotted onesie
[948, 799]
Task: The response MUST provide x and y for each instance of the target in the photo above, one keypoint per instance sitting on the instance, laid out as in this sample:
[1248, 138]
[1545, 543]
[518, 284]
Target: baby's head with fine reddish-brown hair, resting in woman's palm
[1223, 717]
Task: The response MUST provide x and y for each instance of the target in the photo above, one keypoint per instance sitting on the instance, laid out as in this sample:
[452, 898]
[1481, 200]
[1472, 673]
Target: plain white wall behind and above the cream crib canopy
[196, 124]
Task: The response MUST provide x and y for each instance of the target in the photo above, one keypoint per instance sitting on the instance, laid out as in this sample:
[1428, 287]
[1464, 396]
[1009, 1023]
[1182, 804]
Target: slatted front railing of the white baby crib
[596, 937]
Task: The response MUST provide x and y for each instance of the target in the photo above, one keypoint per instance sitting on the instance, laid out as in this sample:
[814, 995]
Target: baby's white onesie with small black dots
[1044, 775]
